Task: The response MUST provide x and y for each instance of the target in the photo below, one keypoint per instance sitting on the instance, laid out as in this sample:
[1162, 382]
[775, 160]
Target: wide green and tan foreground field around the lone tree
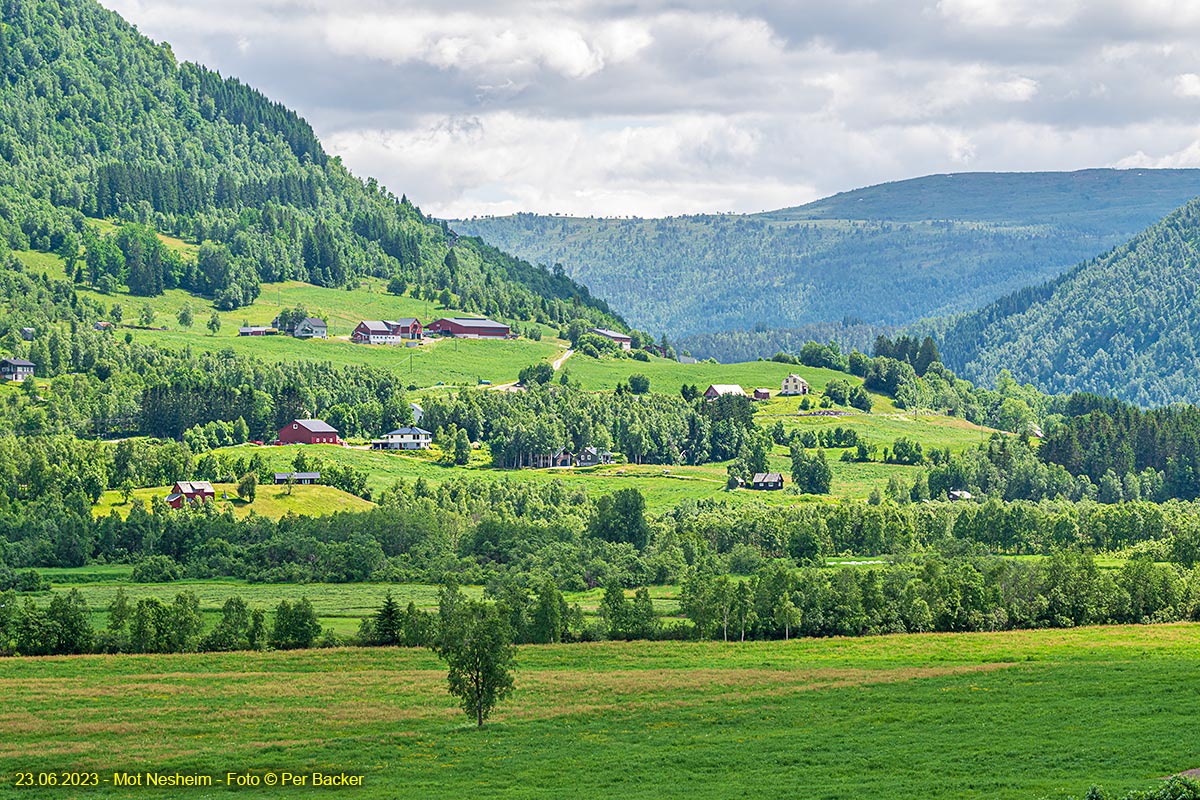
[993, 715]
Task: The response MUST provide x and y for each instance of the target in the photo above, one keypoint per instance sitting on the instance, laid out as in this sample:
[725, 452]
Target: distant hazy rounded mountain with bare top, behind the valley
[884, 255]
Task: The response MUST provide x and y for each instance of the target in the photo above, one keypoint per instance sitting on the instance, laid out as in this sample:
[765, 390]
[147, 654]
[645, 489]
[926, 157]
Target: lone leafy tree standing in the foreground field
[478, 648]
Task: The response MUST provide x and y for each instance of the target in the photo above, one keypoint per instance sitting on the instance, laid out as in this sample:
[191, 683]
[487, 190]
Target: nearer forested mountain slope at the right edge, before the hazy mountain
[1125, 324]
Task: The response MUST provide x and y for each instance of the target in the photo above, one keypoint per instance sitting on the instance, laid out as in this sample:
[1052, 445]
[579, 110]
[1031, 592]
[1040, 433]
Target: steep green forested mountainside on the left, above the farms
[99, 122]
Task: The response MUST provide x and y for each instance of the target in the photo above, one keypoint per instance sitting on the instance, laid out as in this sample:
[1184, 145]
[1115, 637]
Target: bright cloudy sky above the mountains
[651, 109]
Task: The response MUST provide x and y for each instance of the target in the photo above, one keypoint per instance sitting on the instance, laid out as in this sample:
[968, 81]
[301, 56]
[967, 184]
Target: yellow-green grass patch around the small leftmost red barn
[271, 501]
